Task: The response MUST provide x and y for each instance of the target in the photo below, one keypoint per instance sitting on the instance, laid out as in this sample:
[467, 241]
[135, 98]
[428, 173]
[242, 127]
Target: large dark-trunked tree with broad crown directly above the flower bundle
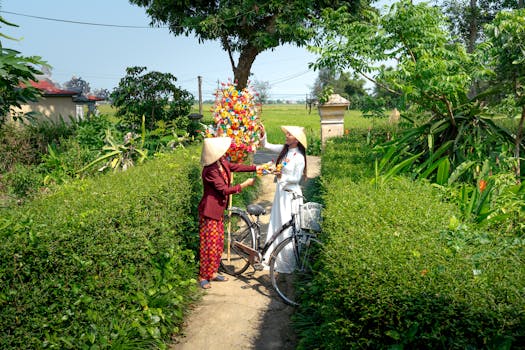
[246, 28]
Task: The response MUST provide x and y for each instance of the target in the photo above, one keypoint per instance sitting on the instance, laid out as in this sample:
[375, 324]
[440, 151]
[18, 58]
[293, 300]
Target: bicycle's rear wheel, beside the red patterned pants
[234, 261]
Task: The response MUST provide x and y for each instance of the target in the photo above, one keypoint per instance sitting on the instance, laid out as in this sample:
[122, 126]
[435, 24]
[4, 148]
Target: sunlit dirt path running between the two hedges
[243, 313]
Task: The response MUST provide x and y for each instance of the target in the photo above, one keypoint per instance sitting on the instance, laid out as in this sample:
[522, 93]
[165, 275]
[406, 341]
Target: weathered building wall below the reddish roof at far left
[52, 108]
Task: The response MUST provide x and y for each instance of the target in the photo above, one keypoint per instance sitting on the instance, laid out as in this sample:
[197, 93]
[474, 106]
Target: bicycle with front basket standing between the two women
[292, 258]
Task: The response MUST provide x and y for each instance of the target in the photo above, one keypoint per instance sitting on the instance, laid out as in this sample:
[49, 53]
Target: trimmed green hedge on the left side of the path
[104, 262]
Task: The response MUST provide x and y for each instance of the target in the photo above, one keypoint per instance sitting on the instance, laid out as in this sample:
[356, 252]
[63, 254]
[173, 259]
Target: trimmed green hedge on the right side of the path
[401, 273]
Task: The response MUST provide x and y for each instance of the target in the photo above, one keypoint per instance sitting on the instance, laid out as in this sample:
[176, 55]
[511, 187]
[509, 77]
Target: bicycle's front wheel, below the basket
[291, 266]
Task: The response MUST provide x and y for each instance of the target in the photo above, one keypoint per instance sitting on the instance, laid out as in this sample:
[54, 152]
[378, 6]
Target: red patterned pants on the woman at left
[211, 233]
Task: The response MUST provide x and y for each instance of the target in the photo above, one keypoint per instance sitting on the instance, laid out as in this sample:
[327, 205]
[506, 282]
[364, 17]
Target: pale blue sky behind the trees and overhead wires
[100, 54]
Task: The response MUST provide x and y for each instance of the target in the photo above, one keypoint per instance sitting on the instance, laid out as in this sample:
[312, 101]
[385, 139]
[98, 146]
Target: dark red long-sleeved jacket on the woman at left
[217, 190]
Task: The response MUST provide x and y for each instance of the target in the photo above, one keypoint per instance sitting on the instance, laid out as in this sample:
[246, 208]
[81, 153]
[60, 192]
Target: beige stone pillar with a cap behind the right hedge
[332, 115]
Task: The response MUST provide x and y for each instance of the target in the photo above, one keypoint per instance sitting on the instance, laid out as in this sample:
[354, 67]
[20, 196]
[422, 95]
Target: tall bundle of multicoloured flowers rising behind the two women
[235, 116]
